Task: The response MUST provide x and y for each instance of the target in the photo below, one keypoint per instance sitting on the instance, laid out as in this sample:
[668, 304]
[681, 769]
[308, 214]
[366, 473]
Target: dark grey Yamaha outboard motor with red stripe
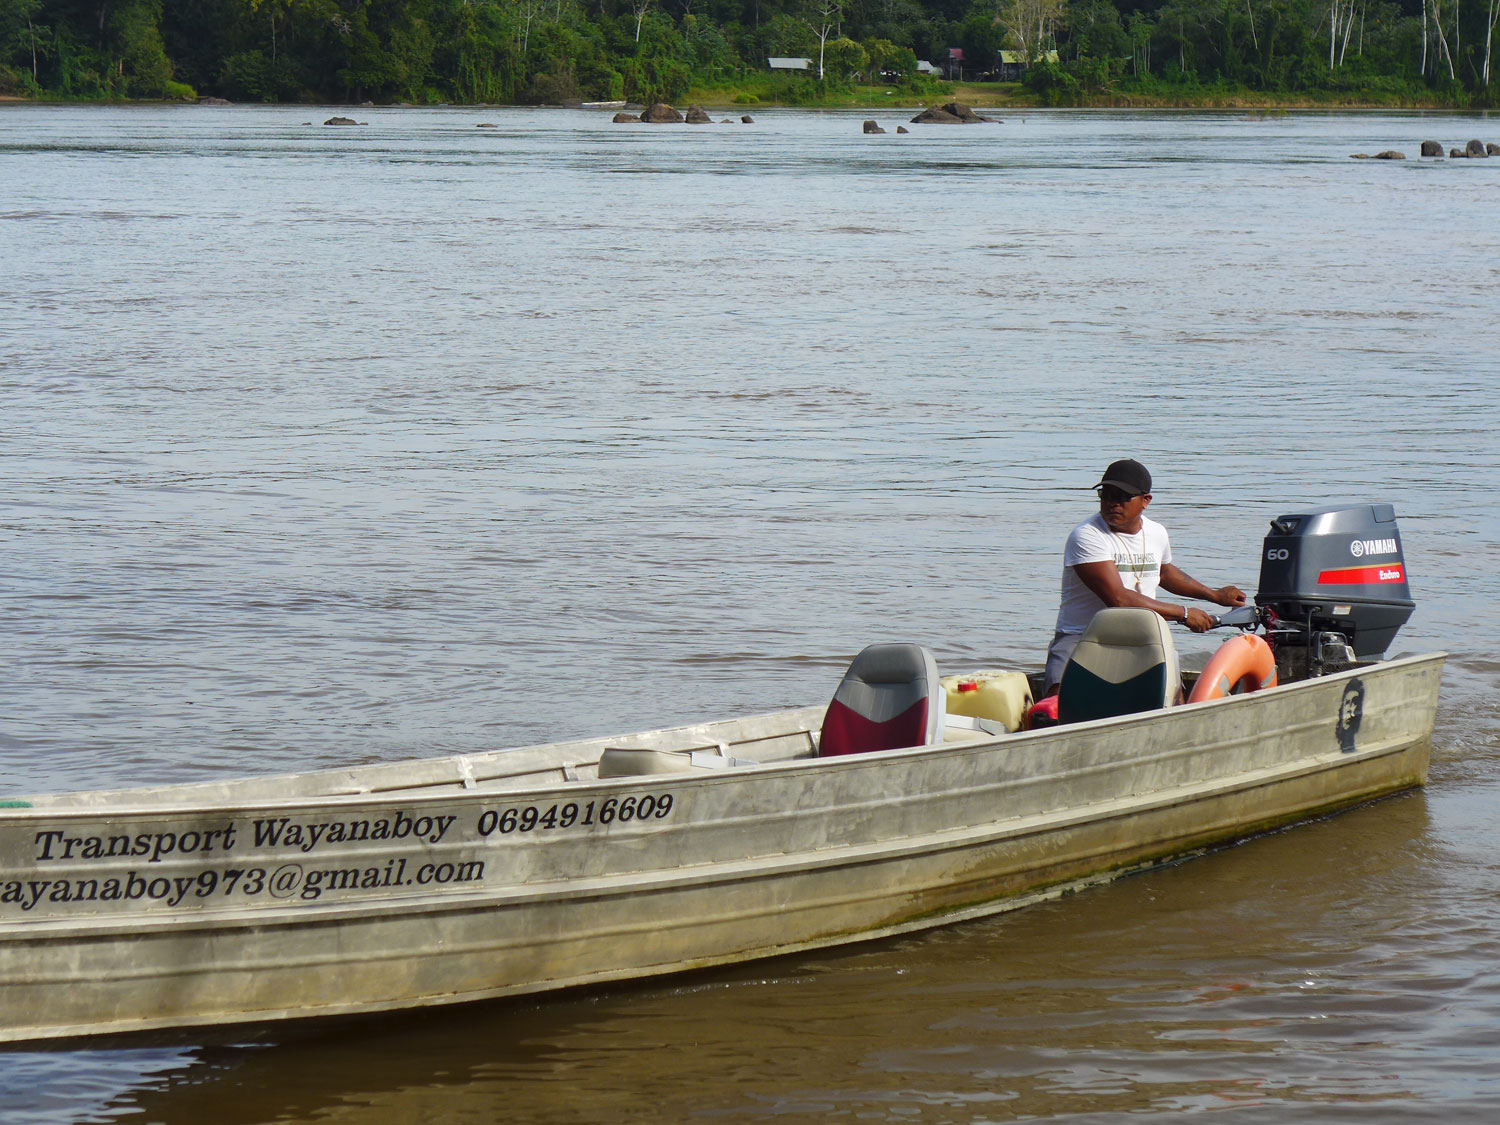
[1333, 589]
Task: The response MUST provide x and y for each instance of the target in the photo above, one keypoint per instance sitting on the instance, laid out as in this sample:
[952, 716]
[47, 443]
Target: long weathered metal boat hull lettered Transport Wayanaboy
[523, 871]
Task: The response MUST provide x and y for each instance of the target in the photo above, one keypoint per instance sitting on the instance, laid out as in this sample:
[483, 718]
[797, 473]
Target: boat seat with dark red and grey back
[890, 698]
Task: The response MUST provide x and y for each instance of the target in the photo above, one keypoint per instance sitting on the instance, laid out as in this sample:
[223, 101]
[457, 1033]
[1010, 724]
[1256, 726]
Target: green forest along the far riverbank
[553, 52]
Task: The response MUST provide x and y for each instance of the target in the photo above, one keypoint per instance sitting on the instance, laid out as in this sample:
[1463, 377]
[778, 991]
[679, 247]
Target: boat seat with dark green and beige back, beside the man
[1124, 664]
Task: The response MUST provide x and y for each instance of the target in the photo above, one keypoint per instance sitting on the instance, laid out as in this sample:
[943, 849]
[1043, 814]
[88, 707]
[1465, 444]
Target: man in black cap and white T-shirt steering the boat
[1121, 559]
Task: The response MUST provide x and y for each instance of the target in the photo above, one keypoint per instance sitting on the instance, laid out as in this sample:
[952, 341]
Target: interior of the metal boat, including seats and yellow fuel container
[892, 697]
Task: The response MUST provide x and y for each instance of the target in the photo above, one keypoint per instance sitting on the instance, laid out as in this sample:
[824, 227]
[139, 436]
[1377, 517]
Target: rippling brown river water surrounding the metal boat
[329, 446]
